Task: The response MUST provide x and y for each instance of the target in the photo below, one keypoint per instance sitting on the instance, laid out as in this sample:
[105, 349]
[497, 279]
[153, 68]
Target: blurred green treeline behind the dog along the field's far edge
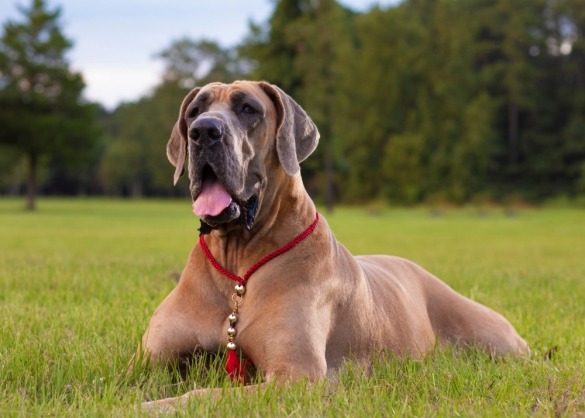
[429, 100]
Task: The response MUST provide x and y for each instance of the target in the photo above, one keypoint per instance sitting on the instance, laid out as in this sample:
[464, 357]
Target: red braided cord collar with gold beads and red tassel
[233, 367]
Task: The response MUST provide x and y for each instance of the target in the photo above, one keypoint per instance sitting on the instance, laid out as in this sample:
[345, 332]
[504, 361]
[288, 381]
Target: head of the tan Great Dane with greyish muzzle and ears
[231, 134]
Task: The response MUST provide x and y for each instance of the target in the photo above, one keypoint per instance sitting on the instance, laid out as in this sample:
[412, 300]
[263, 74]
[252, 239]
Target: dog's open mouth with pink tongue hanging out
[215, 206]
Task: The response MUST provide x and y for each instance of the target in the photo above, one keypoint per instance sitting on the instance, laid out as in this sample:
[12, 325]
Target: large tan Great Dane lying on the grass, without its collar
[311, 308]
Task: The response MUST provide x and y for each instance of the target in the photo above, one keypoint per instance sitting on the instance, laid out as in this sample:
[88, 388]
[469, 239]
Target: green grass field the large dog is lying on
[79, 280]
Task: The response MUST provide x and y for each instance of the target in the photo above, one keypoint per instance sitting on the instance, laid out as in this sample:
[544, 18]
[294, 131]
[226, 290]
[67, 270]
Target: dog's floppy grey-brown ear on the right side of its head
[296, 134]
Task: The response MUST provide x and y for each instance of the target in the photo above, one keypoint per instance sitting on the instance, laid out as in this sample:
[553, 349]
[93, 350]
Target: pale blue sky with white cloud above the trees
[115, 41]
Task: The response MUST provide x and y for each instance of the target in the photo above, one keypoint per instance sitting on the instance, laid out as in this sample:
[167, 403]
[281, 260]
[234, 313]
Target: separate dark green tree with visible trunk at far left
[40, 97]
